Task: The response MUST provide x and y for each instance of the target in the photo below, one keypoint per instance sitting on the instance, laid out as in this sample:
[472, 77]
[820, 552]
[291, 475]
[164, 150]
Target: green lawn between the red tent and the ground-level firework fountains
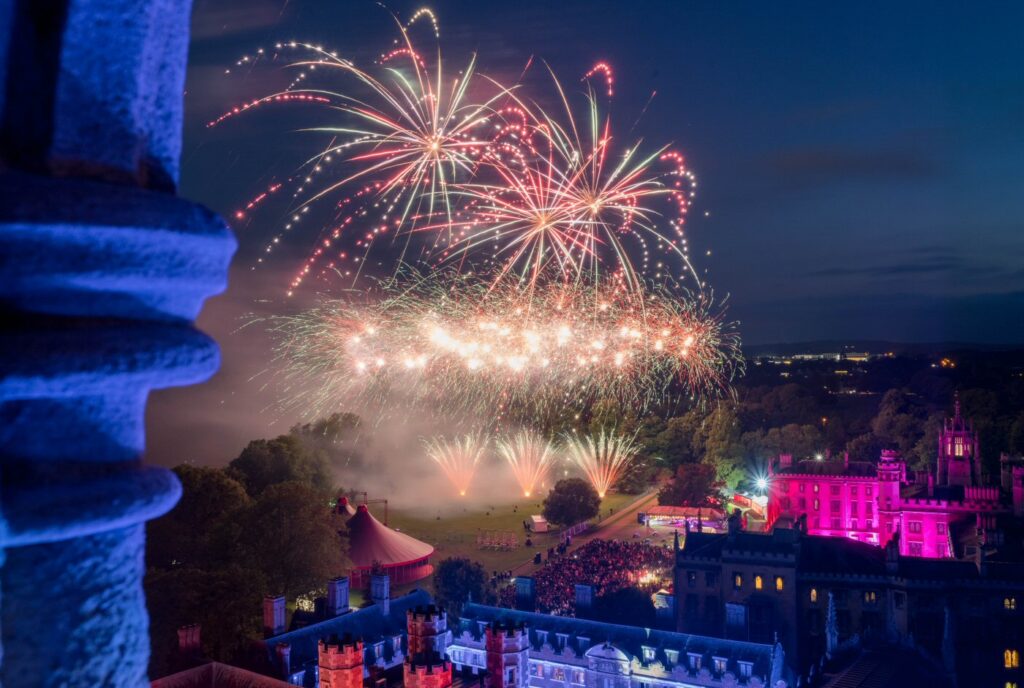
[454, 535]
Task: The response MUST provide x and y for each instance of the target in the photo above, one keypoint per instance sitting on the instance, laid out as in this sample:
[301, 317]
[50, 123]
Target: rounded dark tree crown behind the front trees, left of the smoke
[284, 459]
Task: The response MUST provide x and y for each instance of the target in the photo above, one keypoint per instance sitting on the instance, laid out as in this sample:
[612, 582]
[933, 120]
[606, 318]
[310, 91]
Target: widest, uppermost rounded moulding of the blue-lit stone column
[82, 248]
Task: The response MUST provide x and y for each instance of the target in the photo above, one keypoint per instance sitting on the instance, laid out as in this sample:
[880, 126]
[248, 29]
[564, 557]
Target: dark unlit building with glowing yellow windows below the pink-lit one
[823, 595]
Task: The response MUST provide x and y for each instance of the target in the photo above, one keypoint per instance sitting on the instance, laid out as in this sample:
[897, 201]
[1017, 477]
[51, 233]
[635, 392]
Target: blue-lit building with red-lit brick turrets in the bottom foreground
[411, 642]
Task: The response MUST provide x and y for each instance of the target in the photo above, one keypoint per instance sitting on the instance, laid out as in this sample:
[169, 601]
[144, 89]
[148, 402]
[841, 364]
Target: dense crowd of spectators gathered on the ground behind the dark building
[607, 565]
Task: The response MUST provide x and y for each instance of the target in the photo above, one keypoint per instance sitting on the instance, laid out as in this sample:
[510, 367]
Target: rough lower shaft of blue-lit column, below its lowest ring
[74, 614]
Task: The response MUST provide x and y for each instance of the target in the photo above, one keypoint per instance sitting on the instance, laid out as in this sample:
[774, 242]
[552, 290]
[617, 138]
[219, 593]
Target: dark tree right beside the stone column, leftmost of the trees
[191, 534]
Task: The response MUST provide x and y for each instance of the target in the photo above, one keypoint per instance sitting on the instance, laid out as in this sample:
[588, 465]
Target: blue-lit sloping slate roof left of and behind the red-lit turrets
[369, 624]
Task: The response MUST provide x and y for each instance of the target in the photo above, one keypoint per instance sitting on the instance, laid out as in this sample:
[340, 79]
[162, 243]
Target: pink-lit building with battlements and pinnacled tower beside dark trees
[947, 513]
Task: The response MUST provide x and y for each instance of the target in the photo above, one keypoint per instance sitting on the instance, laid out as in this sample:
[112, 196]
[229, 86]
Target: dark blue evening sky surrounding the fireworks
[860, 163]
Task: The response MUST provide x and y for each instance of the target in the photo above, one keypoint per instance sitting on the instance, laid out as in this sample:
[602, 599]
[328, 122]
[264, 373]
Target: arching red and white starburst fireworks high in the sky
[453, 168]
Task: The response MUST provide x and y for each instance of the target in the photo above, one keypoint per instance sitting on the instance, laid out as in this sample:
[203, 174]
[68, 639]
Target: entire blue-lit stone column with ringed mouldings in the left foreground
[102, 272]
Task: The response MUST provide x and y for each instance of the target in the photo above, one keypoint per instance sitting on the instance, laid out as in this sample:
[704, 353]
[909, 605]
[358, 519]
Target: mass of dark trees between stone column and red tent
[263, 526]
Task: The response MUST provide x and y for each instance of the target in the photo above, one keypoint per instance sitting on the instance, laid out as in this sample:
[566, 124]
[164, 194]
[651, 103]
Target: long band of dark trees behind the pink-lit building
[897, 404]
